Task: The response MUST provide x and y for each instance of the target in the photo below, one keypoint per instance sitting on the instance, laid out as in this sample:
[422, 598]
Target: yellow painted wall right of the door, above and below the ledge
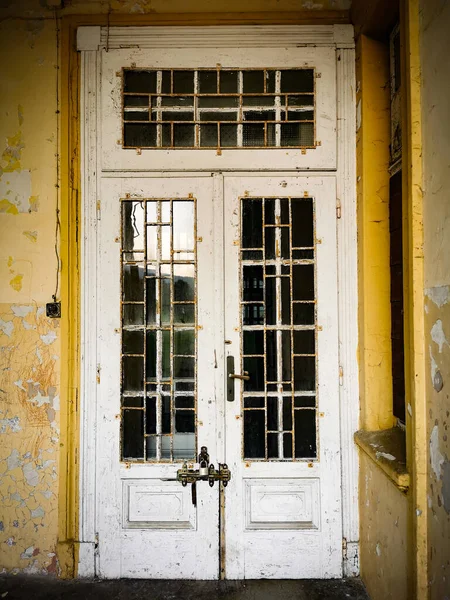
[384, 509]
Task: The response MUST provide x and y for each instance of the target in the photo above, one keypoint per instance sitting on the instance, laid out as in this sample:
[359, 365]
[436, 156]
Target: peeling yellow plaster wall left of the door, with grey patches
[29, 342]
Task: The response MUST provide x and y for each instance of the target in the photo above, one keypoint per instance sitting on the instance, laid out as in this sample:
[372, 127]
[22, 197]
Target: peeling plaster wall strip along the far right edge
[435, 46]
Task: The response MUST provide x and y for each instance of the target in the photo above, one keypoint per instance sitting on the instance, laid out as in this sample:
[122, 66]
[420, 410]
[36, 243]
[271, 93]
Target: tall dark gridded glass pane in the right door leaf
[278, 325]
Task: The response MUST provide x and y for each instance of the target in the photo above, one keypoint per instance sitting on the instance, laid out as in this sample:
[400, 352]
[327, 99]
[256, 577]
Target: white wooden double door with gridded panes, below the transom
[196, 273]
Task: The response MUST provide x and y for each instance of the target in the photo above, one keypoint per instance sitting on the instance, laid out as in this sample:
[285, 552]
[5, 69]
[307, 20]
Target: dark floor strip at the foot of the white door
[40, 588]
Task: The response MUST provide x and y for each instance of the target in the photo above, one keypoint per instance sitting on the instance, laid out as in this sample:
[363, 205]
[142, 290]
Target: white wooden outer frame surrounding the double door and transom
[339, 37]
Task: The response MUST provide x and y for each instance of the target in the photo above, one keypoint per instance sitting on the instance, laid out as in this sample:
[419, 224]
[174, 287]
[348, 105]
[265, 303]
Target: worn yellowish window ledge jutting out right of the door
[387, 449]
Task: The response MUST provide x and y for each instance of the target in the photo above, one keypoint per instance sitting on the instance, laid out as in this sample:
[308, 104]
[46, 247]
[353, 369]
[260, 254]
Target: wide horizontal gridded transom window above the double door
[219, 108]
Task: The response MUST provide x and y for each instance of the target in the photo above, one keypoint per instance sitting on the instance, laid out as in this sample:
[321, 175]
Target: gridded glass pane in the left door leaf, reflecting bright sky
[159, 325]
